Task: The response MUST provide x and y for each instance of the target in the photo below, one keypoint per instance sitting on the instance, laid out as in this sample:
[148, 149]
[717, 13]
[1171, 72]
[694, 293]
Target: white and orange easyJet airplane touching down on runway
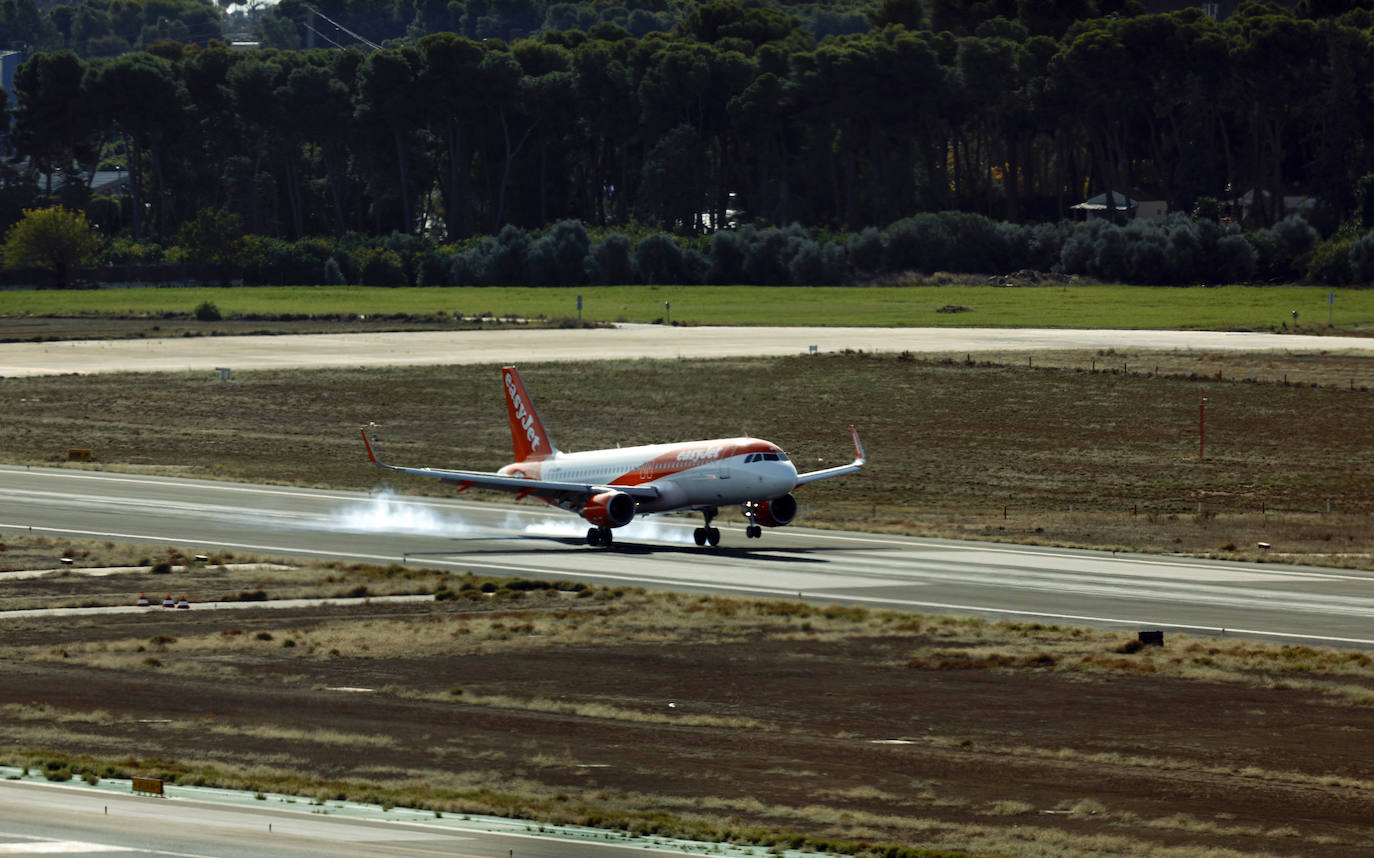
[611, 487]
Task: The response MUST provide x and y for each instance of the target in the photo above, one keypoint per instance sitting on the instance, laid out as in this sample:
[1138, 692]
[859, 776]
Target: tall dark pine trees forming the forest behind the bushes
[1013, 111]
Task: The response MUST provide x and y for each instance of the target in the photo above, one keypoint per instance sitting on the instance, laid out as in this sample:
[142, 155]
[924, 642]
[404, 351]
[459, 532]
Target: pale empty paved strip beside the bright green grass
[619, 343]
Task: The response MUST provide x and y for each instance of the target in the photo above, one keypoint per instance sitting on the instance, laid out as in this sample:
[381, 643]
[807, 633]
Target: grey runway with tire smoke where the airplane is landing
[1298, 604]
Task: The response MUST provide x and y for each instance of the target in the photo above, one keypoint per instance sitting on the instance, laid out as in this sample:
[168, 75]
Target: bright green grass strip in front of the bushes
[1115, 307]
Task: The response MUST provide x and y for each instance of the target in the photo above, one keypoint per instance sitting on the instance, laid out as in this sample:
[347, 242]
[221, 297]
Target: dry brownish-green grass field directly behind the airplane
[1092, 454]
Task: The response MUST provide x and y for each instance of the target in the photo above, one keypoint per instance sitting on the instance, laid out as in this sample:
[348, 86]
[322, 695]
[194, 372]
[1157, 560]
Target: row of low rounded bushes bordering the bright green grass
[49, 245]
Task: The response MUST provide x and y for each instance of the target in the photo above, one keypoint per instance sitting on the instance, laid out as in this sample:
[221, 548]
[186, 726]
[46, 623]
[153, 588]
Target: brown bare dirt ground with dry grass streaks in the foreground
[711, 717]
